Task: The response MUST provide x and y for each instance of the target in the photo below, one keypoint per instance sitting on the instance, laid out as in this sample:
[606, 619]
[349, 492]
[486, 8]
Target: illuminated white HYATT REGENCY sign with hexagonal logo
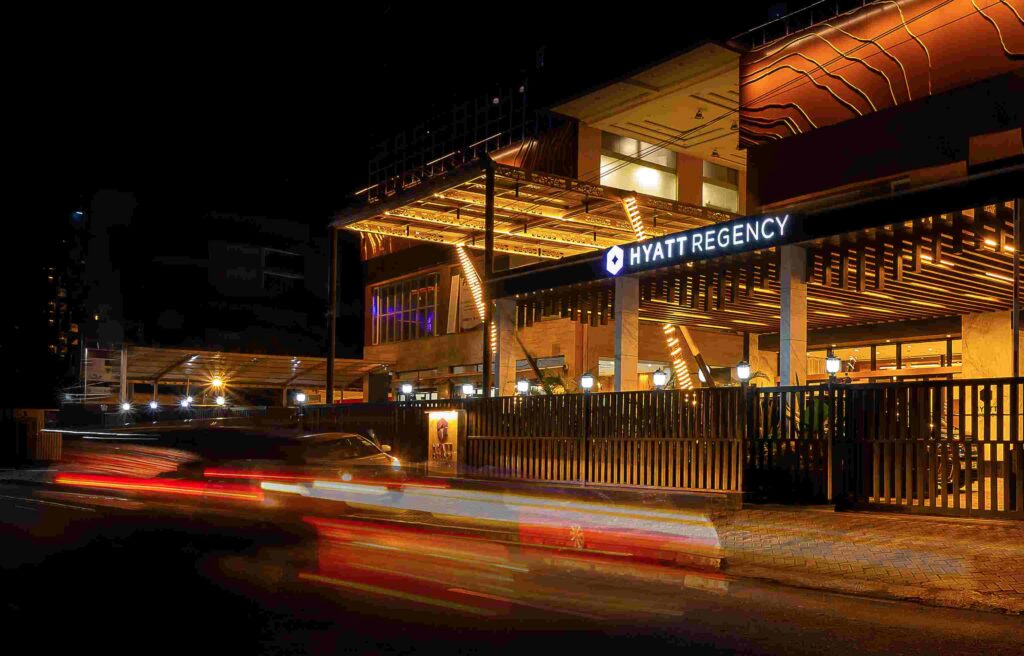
[738, 236]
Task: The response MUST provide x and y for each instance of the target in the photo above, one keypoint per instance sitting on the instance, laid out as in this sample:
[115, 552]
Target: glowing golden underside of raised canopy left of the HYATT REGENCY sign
[536, 214]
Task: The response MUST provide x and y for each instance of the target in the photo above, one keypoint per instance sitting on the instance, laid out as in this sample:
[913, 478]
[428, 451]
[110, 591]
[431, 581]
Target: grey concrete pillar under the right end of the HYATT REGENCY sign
[793, 322]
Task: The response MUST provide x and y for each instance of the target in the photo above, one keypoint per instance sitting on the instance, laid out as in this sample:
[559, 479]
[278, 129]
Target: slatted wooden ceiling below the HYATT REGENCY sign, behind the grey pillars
[947, 266]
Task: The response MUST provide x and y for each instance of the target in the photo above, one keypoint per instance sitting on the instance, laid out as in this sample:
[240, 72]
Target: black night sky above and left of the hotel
[272, 112]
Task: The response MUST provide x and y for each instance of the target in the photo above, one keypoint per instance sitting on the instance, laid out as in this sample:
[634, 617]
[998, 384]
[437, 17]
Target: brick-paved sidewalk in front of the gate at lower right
[948, 562]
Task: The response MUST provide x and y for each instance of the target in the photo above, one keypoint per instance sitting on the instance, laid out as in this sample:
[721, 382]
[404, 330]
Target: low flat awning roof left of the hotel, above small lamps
[150, 365]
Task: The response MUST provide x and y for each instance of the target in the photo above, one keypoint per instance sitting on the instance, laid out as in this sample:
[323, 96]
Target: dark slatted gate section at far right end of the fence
[940, 447]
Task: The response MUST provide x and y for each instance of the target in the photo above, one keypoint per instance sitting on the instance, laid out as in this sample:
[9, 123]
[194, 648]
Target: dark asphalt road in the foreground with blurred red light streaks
[124, 577]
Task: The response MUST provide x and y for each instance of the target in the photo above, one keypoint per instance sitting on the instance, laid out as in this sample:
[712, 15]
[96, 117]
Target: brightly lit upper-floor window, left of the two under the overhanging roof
[638, 166]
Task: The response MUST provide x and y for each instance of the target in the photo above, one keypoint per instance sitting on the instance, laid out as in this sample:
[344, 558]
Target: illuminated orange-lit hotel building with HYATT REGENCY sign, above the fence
[848, 189]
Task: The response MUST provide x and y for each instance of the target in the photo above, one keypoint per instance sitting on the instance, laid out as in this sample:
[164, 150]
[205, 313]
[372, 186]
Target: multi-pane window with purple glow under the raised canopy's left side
[406, 310]
